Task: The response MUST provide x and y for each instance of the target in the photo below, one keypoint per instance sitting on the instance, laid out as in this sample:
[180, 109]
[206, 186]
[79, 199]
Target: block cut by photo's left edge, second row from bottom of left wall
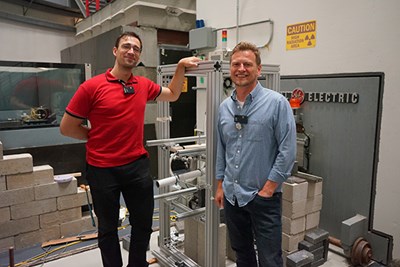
[15, 227]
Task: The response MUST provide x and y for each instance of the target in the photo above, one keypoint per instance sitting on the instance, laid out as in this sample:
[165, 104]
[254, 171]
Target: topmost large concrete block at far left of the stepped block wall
[17, 163]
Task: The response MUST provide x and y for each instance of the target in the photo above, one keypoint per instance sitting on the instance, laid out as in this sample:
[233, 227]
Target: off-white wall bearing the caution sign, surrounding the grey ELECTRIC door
[352, 36]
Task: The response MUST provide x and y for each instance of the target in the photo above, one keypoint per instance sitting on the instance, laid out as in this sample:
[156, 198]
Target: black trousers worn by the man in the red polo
[134, 182]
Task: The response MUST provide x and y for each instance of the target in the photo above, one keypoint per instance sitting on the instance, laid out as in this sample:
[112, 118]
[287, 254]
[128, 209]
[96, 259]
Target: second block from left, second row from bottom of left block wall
[58, 217]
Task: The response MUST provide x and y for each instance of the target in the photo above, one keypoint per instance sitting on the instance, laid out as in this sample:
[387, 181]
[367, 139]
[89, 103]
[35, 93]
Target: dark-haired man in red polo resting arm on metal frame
[114, 103]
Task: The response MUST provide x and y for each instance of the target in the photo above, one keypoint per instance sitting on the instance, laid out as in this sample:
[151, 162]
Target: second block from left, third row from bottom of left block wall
[33, 208]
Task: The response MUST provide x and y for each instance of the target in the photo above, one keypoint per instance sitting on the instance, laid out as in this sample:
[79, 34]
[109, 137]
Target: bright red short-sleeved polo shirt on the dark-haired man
[116, 118]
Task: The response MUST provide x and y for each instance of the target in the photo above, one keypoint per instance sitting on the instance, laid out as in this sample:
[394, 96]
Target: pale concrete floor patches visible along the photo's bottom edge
[92, 258]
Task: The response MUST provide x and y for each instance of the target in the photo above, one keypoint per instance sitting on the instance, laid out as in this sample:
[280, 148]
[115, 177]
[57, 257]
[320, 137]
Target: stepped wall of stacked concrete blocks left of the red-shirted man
[34, 208]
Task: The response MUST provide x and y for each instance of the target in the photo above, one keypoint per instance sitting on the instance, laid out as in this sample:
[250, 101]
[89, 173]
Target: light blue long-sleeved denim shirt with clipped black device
[264, 148]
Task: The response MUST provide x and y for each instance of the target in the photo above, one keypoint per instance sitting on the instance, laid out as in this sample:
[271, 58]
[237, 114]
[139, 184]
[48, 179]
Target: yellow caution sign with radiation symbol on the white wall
[301, 35]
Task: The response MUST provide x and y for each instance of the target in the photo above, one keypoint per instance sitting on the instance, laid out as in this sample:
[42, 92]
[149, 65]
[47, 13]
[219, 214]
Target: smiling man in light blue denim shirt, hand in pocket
[255, 155]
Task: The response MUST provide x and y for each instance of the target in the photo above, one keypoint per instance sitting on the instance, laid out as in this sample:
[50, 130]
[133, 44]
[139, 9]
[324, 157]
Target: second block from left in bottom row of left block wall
[37, 237]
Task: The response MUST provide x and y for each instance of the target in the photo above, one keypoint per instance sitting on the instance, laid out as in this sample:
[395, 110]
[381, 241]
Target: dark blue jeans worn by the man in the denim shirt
[258, 223]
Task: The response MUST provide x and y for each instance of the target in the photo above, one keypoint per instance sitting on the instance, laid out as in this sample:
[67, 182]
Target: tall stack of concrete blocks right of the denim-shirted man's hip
[301, 205]
